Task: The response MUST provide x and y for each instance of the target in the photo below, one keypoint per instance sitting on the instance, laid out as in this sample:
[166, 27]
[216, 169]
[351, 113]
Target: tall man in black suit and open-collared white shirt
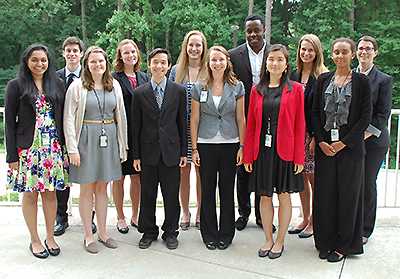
[247, 59]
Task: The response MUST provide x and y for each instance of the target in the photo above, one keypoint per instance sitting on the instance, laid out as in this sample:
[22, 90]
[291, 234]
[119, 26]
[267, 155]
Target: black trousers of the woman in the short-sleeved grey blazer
[217, 159]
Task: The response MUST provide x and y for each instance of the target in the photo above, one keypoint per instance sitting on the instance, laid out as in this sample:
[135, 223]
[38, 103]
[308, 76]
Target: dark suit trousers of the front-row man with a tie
[169, 179]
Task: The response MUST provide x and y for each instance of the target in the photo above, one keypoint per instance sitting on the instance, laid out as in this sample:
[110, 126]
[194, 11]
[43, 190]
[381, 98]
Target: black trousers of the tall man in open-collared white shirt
[243, 195]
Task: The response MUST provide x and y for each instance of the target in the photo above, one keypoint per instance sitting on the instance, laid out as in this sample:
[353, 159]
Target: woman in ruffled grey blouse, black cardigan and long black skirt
[342, 112]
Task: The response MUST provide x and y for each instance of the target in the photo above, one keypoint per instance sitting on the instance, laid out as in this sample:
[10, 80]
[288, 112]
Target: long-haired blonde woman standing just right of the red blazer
[310, 64]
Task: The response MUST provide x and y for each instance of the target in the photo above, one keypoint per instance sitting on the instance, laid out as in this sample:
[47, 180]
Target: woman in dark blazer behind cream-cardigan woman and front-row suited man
[127, 72]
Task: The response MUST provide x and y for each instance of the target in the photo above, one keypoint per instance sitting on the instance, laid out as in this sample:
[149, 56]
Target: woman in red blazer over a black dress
[274, 142]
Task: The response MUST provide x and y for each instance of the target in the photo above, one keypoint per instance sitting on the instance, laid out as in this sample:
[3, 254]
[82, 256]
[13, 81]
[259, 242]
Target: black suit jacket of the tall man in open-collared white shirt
[242, 68]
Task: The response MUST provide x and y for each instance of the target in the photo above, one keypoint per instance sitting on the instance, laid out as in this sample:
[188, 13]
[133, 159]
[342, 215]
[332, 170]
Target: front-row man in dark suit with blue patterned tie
[159, 148]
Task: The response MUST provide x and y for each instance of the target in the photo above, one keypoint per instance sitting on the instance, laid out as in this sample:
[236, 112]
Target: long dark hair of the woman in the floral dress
[52, 84]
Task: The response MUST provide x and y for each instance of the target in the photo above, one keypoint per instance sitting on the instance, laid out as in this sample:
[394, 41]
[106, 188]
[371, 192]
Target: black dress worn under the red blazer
[271, 173]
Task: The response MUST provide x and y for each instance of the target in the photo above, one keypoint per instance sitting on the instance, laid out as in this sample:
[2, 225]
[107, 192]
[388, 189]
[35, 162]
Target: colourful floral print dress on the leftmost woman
[44, 165]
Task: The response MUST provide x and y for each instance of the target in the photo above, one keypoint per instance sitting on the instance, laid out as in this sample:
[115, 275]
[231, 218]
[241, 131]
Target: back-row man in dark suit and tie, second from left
[72, 52]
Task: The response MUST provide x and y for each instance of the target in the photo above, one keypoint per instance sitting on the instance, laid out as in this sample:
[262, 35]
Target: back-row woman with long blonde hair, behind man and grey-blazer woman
[190, 68]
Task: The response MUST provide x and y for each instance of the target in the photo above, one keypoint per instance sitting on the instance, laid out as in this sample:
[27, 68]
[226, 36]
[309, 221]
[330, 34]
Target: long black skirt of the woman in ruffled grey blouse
[338, 202]
